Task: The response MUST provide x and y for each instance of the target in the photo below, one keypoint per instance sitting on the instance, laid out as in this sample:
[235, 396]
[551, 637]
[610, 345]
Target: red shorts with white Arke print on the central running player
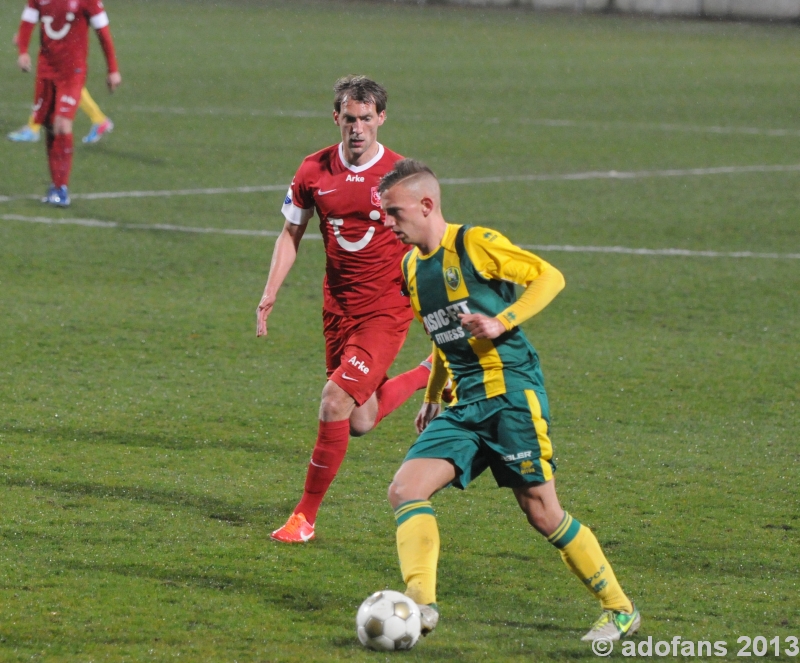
[359, 350]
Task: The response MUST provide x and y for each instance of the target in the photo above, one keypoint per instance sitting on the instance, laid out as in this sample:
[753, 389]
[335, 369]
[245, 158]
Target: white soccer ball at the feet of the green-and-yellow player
[387, 621]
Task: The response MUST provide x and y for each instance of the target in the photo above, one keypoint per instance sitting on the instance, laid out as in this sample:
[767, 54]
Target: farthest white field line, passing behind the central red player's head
[544, 122]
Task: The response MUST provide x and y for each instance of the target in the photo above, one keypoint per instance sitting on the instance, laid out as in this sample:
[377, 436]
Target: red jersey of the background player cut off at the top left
[64, 34]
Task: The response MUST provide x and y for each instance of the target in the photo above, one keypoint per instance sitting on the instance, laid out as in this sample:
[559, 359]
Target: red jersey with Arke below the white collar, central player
[362, 272]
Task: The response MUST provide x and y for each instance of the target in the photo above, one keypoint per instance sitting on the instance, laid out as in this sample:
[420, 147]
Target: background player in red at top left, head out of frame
[61, 73]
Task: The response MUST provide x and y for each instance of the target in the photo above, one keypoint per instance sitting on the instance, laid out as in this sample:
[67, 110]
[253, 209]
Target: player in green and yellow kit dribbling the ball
[461, 284]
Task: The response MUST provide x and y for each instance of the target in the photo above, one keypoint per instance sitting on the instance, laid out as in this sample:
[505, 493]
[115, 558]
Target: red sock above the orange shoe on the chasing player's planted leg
[328, 455]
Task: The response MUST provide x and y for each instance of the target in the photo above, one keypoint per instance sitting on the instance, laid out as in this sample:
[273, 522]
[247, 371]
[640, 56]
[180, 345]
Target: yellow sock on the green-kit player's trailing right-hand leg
[583, 556]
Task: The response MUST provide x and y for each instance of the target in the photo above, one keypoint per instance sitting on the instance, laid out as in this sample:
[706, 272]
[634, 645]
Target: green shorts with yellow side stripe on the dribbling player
[508, 433]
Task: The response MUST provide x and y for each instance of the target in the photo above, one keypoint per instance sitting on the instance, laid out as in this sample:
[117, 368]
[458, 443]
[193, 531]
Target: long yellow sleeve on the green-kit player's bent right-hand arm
[495, 257]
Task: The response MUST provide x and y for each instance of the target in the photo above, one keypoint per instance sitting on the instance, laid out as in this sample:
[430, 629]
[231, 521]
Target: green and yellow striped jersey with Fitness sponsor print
[474, 271]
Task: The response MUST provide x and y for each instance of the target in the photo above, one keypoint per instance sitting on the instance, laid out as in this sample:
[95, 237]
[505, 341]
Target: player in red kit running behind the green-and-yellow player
[365, 314]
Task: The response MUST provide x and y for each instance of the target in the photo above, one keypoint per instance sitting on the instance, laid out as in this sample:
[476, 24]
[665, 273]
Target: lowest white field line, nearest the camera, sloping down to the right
[94, 223]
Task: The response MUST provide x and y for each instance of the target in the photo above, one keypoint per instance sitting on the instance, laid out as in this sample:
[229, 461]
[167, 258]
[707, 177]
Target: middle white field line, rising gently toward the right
[499, 179]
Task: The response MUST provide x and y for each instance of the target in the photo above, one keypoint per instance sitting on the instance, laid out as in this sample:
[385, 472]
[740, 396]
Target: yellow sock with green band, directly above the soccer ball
[418, 549]
